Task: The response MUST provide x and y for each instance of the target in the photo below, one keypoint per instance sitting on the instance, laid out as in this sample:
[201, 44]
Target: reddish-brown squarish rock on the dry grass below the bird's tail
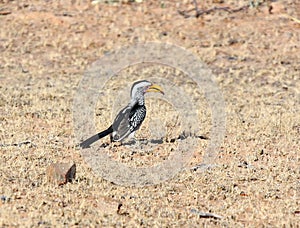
[61, 173]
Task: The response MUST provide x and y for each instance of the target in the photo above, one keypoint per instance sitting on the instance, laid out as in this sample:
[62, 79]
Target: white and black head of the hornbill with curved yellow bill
[139, 88]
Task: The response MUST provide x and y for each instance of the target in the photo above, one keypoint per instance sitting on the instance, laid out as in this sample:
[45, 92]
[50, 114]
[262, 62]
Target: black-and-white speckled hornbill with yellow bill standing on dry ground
[130, 118]
